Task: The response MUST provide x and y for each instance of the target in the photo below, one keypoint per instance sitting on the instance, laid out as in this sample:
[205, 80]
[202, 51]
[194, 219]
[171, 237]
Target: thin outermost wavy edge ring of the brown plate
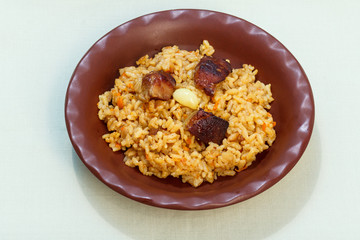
[177, 205]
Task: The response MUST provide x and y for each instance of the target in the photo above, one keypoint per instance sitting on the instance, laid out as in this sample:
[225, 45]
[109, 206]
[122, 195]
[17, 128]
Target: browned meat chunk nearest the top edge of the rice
[209, 72]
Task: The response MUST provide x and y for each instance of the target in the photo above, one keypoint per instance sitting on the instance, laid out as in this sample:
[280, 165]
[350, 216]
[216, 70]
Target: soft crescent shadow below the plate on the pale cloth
[255, 218]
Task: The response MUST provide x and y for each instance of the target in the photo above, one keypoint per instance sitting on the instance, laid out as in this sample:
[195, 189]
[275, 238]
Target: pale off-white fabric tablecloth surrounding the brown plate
[47, 193]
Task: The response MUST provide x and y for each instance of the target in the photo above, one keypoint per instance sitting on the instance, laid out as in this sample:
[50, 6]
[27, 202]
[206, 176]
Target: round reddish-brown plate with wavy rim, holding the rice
[233, 38]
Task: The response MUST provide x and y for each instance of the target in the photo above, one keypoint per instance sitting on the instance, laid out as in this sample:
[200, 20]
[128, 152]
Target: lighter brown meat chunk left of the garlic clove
[158, 85]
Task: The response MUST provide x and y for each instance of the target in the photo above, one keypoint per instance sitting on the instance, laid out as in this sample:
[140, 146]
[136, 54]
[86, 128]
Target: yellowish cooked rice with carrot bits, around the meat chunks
[240, 99]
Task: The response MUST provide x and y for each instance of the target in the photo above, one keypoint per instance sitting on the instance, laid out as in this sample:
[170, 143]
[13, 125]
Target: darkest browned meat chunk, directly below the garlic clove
[207, 127]
